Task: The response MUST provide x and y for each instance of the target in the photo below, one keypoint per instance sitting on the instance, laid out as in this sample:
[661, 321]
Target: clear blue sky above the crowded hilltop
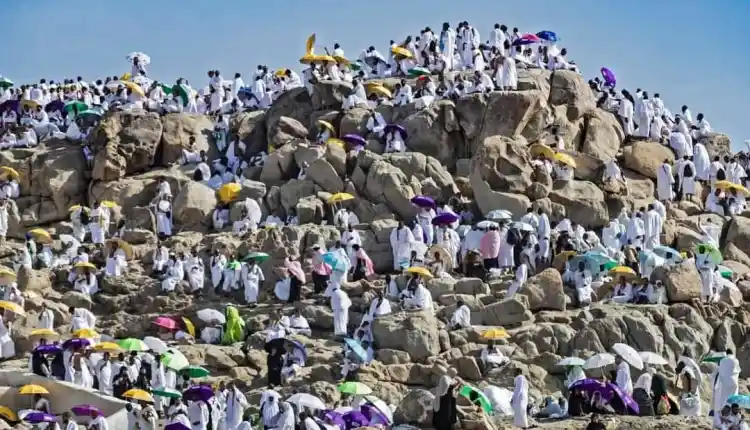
[691, 52]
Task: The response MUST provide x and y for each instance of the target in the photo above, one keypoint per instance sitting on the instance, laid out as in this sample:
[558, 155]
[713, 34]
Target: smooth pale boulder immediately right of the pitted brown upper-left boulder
[184, 131]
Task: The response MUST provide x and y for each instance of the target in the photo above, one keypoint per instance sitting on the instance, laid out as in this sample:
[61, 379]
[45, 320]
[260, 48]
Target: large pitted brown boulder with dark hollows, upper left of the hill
[125, 143]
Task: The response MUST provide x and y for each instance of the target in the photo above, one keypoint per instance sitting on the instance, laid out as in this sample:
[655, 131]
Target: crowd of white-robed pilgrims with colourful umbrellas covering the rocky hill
[445, 239]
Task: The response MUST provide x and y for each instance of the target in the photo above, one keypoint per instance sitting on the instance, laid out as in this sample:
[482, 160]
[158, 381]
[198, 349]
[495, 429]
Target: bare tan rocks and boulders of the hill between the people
[477, 146]
